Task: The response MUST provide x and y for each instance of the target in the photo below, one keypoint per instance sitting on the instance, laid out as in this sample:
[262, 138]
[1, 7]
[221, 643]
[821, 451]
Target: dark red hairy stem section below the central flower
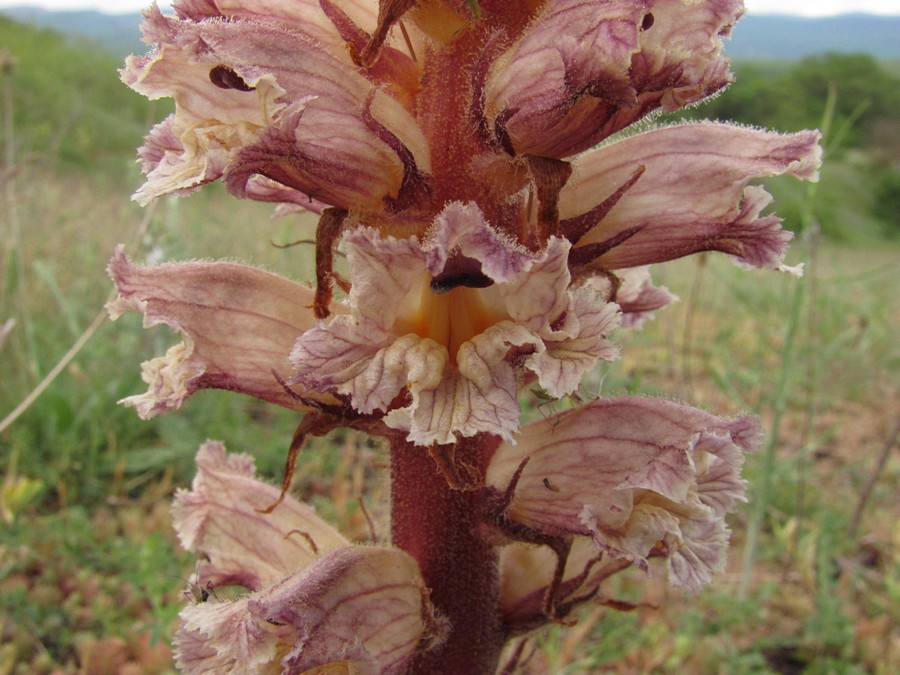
[438, 526]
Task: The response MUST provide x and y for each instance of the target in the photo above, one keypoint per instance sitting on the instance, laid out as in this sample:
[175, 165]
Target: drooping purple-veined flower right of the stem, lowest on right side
[635, 477]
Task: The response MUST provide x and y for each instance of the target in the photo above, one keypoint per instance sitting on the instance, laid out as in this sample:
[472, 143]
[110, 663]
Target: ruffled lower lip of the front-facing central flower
[479, 395]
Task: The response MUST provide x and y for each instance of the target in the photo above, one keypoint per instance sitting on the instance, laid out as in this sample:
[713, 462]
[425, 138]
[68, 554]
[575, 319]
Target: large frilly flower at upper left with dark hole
[241, 85]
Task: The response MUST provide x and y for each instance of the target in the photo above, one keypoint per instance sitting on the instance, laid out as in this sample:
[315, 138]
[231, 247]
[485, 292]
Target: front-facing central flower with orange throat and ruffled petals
[454, 319]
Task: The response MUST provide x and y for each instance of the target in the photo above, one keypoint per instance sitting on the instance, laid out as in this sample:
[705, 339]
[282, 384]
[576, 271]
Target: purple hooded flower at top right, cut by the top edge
[584, 70]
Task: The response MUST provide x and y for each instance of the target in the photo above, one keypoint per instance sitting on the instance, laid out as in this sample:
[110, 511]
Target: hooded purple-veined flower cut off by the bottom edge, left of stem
[362, 607]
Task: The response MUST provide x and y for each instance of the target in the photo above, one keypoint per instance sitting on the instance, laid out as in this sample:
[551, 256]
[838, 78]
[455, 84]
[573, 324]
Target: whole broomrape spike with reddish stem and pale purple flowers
[475, 162]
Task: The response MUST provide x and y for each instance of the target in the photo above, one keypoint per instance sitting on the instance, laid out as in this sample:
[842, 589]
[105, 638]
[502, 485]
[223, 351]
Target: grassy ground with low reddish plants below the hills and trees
[89, 570]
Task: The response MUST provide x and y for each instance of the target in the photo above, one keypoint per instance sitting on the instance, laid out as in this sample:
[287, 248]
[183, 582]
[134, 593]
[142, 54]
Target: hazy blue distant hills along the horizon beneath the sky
[755, 38]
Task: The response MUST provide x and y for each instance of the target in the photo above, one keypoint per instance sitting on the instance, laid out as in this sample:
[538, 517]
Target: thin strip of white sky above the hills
[801, 7]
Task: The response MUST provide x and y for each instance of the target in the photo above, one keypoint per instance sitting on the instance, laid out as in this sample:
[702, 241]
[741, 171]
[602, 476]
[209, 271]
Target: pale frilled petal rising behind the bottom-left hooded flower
[220, 519]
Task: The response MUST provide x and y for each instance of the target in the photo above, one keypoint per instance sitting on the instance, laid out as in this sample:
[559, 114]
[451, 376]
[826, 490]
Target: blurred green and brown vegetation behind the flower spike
[89, 569]
